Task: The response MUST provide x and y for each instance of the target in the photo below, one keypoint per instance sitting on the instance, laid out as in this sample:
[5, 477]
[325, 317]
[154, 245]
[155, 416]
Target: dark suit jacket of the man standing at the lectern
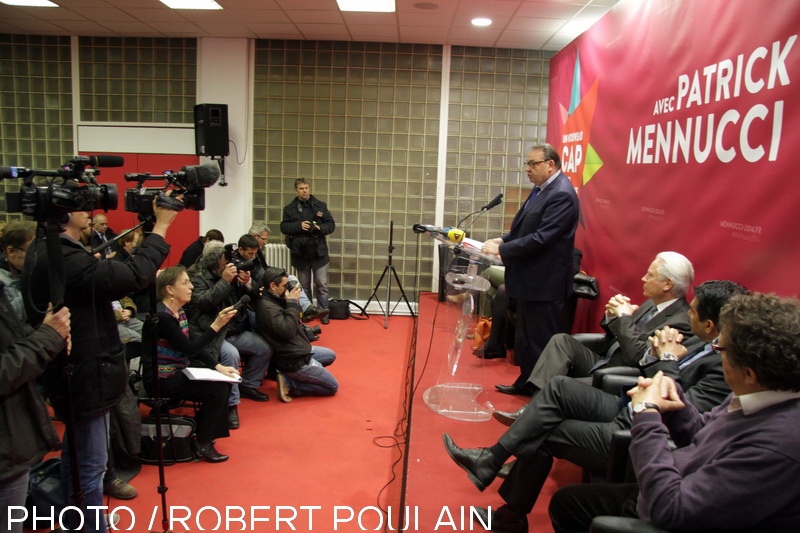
[537, 250]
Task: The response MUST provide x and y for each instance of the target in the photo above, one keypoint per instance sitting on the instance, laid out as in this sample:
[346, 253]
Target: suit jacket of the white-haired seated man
[633, 343]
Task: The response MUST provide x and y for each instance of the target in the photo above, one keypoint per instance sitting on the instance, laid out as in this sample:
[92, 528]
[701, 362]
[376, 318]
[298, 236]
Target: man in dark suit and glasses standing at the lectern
[537, 253]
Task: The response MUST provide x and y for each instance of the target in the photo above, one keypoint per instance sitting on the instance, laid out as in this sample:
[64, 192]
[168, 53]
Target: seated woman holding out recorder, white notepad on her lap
[177, 349]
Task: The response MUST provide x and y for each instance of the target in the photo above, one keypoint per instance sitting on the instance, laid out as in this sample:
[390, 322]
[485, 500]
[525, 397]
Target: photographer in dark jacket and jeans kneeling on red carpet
[300, 365]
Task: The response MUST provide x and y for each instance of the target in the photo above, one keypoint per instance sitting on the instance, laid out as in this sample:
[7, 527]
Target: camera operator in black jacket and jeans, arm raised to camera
[97, 356]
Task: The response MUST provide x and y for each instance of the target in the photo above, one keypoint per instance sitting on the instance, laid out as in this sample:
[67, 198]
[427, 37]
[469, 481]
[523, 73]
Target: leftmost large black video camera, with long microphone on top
[72, 187]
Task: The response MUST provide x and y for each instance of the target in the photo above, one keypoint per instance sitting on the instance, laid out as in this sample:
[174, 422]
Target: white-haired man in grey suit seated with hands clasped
[627, 326]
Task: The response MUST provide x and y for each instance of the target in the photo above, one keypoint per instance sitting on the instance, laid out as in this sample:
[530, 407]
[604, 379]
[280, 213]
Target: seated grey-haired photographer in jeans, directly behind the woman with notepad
[218, 284]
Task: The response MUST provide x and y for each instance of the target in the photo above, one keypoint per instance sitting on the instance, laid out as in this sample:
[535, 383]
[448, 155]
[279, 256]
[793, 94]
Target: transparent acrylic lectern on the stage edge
[453, 397]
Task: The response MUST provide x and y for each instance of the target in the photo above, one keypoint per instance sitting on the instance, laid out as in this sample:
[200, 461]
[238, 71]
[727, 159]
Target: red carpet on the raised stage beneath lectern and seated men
[434, 484]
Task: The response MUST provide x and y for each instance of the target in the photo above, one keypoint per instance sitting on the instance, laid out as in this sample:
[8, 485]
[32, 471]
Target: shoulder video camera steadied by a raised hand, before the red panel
[190, 184]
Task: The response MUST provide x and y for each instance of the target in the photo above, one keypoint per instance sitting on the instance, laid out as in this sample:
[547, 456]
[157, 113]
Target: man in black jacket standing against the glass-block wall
[306, 222]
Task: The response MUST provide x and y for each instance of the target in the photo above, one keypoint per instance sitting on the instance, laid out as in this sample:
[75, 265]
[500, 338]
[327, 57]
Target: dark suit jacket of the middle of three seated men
[703, 381]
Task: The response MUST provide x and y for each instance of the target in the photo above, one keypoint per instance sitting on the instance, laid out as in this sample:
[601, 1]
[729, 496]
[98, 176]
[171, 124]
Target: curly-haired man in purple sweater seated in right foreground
[736, 468]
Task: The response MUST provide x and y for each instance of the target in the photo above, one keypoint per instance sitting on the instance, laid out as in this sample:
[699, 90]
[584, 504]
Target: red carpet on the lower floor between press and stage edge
[312, 452]
